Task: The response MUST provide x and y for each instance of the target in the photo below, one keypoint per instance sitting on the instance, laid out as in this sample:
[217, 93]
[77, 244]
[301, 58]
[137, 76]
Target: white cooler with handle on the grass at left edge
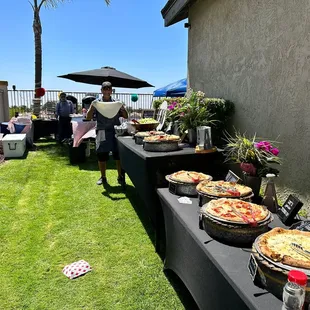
[14, 145]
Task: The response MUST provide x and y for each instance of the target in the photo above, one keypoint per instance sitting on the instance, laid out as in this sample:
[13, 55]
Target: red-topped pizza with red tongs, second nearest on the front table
[236, 210]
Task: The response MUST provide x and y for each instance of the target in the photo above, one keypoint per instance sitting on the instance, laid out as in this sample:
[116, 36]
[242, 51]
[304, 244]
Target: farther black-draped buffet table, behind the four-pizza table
[147, 171]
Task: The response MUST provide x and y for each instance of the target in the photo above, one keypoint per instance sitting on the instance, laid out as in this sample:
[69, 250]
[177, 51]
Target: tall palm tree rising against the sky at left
[37, 30]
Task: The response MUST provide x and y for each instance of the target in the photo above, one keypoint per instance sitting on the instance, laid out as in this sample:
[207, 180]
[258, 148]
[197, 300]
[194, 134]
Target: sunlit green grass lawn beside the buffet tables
[52, 214]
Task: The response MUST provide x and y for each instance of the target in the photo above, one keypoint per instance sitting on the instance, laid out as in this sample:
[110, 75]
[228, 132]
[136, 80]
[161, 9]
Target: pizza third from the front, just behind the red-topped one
[223, 189]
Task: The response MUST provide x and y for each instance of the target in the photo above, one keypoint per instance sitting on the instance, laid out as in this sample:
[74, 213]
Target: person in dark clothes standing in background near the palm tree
[63, 110]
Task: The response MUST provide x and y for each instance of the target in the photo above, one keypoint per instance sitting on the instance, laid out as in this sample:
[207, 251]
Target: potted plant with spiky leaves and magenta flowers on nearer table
[254, 156]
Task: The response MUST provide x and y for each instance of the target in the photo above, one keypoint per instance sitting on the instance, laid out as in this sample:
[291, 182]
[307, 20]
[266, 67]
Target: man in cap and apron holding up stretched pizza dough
[106, 141]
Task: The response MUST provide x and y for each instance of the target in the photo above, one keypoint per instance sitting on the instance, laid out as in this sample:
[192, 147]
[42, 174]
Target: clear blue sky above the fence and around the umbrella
[129, 35]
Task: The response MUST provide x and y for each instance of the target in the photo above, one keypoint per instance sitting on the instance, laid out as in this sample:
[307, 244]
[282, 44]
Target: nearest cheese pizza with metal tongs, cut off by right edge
[276, 244]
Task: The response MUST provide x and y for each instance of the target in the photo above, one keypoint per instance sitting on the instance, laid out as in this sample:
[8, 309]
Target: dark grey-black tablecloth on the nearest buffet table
[216, 274]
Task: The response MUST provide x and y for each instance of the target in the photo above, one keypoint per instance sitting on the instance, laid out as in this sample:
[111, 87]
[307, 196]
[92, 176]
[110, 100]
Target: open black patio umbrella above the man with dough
[98, 76]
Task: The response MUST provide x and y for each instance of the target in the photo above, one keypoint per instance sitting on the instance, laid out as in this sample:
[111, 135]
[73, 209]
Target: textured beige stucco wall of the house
[257, 54]
